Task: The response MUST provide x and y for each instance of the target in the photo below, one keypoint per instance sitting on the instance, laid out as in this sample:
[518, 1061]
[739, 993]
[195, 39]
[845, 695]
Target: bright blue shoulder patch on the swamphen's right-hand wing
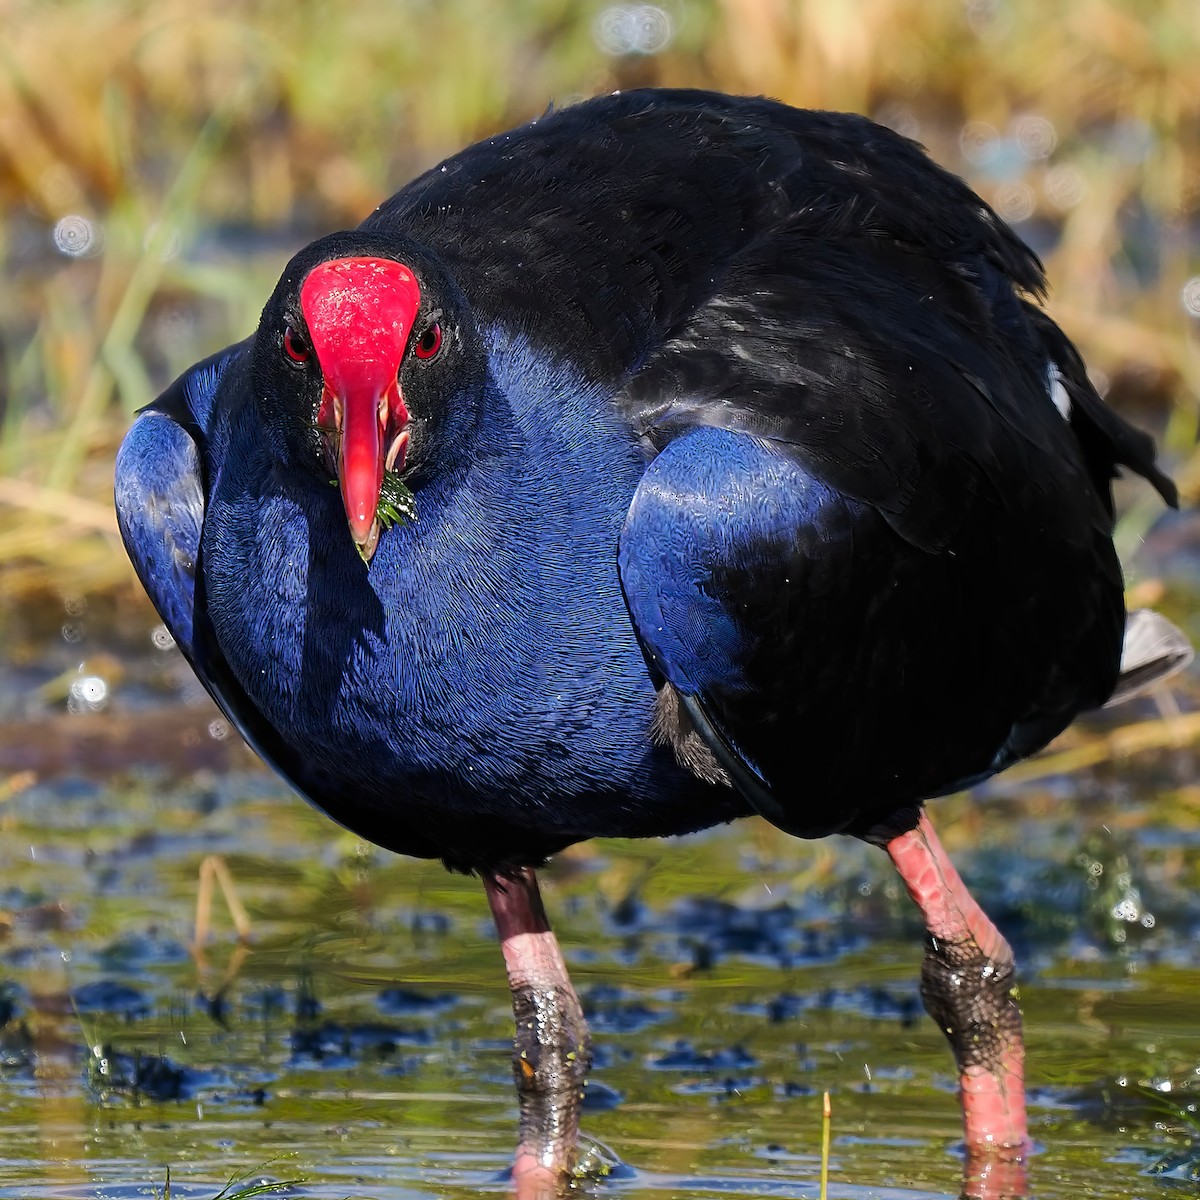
[711, 500]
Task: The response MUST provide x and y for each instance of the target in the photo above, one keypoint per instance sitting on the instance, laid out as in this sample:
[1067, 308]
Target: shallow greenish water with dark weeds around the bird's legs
[730, 977]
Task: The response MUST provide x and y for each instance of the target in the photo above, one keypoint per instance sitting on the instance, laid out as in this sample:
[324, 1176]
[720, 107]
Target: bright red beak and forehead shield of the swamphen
[361, 314]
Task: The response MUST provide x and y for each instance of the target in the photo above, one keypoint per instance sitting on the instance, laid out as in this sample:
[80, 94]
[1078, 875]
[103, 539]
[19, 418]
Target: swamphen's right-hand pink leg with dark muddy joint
[968, 986]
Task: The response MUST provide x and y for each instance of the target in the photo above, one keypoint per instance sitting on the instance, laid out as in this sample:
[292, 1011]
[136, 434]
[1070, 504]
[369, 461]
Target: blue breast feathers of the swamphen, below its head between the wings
[487, 659]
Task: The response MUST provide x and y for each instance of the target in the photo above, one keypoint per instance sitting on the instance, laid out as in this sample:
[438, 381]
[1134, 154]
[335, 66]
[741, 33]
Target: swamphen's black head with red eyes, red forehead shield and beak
[357, 347]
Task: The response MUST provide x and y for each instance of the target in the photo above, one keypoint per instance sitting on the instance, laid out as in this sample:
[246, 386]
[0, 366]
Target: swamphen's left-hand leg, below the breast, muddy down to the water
[551, 1053]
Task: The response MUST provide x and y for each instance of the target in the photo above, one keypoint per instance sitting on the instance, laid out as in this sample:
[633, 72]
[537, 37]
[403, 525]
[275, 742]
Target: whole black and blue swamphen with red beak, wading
[667, 460]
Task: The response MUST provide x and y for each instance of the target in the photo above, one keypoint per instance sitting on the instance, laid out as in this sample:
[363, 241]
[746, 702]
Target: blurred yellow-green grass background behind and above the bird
[159, 163]
